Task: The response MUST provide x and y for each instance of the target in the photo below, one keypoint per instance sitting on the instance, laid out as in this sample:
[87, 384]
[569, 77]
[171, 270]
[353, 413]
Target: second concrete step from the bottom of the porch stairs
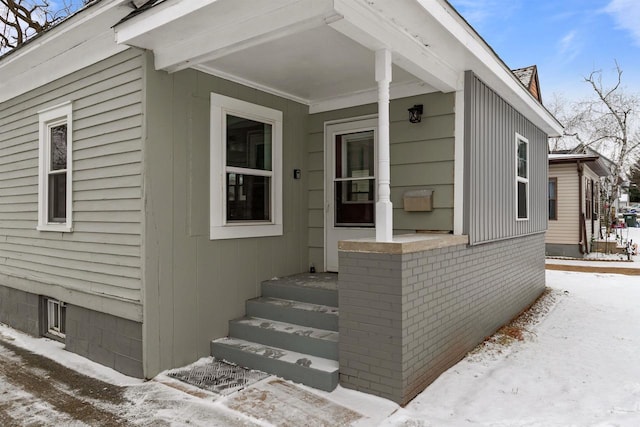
[304, 339]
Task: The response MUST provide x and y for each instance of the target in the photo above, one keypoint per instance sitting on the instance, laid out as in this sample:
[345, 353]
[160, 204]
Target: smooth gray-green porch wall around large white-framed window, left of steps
[195, 285]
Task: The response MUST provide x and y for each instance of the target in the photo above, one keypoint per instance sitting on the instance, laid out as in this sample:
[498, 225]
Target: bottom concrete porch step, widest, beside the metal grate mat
[313, 371]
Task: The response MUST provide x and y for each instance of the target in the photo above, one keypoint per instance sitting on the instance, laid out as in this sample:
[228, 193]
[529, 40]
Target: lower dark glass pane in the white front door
[355, 203]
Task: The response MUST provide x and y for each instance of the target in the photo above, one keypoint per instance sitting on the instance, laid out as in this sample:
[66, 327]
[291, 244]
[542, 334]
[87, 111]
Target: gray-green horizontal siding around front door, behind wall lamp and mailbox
[422, 157]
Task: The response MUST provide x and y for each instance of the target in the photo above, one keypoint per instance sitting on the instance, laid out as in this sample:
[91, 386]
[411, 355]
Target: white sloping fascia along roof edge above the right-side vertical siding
[497, 74]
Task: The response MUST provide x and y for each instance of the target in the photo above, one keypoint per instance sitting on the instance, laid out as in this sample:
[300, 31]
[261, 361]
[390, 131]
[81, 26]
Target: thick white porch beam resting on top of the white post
[371, 29]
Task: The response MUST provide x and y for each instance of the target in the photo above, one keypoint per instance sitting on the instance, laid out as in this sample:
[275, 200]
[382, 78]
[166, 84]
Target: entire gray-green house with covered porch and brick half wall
[160, 166]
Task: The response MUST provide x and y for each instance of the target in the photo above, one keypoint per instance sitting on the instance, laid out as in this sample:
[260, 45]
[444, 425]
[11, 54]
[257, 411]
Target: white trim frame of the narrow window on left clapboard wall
[56, 115]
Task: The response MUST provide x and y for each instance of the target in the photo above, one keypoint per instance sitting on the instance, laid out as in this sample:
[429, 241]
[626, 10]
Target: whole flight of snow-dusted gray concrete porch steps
[290, 331]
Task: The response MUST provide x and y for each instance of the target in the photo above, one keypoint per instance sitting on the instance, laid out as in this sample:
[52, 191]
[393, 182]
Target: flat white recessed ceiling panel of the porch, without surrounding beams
[321, 64]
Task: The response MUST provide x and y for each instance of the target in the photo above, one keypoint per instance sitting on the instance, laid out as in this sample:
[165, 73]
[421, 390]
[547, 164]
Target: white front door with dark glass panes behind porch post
[350, 184]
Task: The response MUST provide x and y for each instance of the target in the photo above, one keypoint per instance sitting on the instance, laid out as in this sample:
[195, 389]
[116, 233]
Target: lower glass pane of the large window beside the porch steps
[248, 197]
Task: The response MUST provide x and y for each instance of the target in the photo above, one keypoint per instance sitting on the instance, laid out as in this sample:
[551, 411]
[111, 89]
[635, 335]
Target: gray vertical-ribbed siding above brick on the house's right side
[491, 125]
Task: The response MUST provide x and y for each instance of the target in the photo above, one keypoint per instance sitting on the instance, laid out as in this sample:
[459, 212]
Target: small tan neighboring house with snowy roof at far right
[574, 203]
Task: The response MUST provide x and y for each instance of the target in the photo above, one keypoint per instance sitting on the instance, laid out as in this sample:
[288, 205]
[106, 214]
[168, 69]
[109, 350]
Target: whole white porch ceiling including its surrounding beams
[311, 51]
